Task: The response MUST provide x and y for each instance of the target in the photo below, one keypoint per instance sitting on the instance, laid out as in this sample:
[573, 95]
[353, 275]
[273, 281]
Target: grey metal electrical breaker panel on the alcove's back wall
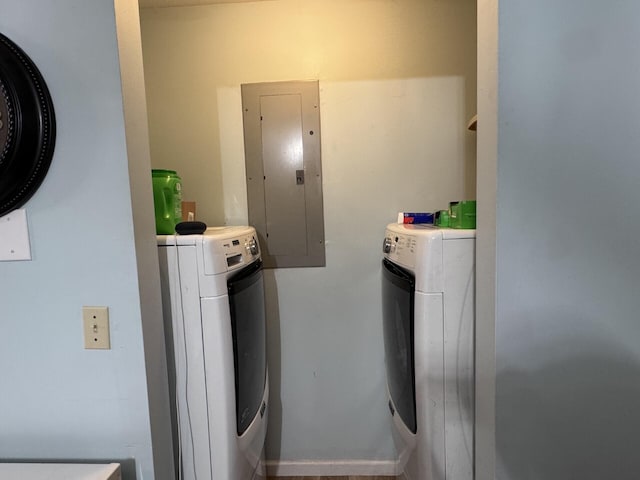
[284, 174]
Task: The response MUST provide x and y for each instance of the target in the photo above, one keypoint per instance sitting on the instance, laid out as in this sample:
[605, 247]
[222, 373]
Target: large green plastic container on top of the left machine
[167, 199]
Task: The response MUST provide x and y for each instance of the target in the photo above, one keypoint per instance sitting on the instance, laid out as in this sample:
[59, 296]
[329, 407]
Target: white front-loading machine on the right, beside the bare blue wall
[428, 317]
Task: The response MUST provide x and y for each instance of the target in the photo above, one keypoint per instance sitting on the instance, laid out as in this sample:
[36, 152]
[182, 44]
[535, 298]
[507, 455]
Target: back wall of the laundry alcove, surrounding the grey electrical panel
[397, 83]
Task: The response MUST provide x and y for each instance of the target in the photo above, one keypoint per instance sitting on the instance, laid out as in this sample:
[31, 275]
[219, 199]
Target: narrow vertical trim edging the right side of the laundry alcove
[487, 147]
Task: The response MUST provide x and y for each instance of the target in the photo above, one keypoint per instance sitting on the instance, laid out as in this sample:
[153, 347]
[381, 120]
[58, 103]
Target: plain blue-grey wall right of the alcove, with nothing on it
[566, 329]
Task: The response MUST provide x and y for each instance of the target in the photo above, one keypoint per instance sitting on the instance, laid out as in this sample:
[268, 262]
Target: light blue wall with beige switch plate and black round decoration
[59, 401]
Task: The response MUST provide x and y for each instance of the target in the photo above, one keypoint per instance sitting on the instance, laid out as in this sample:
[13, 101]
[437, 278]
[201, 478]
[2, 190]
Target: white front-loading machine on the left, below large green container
[213, 302]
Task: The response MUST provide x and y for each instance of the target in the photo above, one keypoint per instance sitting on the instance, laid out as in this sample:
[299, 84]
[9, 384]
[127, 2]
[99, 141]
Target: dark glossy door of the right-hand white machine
[398, 299]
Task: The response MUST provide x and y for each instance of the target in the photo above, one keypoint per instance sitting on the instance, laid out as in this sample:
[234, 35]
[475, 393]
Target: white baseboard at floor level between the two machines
[315, 468]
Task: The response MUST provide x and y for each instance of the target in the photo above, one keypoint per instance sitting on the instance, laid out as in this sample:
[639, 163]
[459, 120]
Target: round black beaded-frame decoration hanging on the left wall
[27, 127]
